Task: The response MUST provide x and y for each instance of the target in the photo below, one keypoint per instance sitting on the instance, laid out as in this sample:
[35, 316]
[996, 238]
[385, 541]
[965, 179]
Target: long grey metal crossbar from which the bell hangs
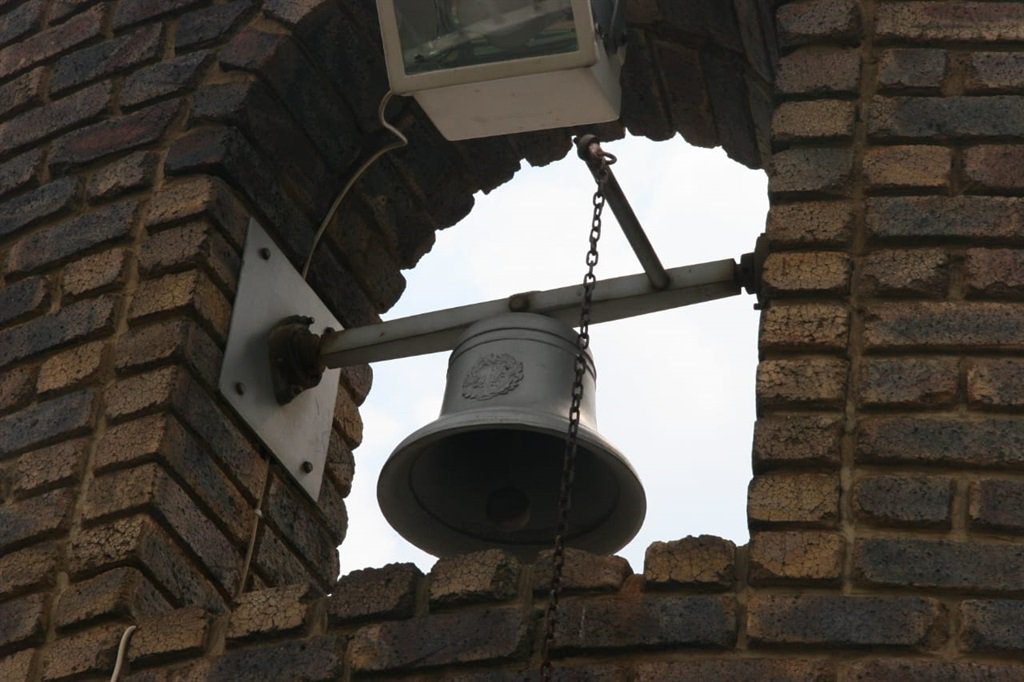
[614, 300]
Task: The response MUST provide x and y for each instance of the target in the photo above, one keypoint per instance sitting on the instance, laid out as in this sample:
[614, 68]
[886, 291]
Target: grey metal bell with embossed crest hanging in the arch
[487, 474]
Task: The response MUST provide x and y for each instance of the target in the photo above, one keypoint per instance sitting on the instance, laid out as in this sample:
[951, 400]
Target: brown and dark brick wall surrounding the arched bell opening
[138, 138]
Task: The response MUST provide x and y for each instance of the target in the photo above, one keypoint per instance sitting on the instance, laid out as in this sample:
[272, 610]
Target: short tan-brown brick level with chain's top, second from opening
[908, 166]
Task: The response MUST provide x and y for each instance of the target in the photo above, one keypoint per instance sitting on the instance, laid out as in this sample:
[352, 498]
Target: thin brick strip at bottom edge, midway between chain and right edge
[737, 670]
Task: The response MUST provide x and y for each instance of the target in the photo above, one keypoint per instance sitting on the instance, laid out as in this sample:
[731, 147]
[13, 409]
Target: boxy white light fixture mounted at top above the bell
[482, 68]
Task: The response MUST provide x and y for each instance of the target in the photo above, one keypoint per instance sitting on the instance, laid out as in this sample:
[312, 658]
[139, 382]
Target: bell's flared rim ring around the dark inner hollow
[408, 518]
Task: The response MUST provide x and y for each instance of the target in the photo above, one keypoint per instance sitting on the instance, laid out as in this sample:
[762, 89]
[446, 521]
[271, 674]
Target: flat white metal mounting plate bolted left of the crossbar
[270, 290]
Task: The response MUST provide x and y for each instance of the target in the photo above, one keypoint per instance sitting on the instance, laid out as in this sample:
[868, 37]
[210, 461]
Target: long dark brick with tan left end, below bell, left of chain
[436, 641]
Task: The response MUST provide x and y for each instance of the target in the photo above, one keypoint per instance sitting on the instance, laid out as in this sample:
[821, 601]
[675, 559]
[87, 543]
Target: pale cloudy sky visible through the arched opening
[675, 390]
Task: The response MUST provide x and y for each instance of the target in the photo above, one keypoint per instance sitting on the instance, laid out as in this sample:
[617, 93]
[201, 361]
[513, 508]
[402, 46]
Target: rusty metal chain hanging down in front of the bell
[569, 460]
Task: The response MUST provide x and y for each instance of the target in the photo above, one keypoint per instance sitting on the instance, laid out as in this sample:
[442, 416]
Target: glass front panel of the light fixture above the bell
[437, 35]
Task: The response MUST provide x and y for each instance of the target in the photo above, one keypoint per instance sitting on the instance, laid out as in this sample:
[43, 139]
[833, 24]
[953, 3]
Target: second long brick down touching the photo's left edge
[70, 112]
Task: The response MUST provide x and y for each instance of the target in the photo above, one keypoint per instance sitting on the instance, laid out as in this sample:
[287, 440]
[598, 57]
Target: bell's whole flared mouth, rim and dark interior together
[482, 481]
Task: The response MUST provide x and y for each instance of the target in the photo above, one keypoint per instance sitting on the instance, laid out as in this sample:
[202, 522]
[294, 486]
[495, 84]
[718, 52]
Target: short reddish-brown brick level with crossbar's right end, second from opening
[917, 273]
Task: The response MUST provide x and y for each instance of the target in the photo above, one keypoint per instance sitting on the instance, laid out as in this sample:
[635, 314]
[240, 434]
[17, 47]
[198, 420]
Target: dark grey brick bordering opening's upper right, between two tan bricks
[812, 170]
